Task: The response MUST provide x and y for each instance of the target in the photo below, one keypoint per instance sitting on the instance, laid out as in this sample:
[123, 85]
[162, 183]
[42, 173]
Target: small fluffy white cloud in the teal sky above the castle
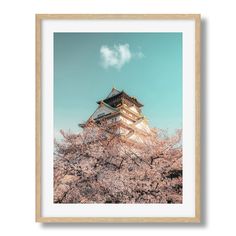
[117, 56]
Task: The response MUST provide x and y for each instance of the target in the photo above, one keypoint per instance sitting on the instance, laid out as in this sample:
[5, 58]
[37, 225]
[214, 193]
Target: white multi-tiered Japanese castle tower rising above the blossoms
[120, 108]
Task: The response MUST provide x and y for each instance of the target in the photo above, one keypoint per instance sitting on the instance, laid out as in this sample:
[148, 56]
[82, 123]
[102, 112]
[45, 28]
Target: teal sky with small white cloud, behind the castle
[145, 65]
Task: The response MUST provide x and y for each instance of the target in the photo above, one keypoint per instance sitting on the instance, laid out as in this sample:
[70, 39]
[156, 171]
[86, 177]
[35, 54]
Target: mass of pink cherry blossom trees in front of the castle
[99, 165]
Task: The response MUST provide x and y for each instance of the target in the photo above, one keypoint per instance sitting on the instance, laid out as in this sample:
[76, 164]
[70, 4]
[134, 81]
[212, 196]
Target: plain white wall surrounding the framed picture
[17, 76]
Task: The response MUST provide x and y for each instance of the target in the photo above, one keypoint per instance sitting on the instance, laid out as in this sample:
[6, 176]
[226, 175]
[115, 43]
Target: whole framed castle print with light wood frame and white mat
[118, 118]
